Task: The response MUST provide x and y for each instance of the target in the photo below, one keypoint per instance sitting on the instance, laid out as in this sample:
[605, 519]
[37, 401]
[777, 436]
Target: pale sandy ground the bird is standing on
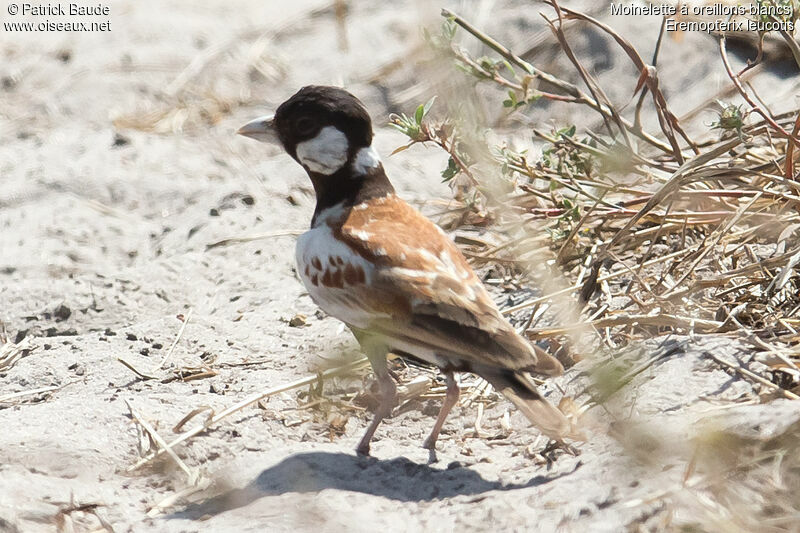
[119, 165]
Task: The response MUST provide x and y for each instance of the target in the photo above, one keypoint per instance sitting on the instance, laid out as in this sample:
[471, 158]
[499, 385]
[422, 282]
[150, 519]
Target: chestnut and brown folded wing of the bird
[433, 298]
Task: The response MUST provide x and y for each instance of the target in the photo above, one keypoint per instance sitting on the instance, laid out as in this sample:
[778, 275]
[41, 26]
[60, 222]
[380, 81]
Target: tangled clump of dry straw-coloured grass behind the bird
[656, 233]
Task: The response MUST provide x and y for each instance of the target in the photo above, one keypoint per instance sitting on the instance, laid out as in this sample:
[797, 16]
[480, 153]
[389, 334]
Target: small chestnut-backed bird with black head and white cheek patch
[390, 274]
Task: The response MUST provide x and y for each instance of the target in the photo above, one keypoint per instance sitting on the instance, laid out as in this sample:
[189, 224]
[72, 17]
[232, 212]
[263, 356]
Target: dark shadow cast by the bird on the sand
[398, 479]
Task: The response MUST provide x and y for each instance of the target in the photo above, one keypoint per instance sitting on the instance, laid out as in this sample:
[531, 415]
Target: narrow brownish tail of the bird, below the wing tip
[523, 394]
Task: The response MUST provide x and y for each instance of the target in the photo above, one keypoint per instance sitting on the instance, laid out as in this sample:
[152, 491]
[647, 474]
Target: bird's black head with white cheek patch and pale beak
[325, 129]
